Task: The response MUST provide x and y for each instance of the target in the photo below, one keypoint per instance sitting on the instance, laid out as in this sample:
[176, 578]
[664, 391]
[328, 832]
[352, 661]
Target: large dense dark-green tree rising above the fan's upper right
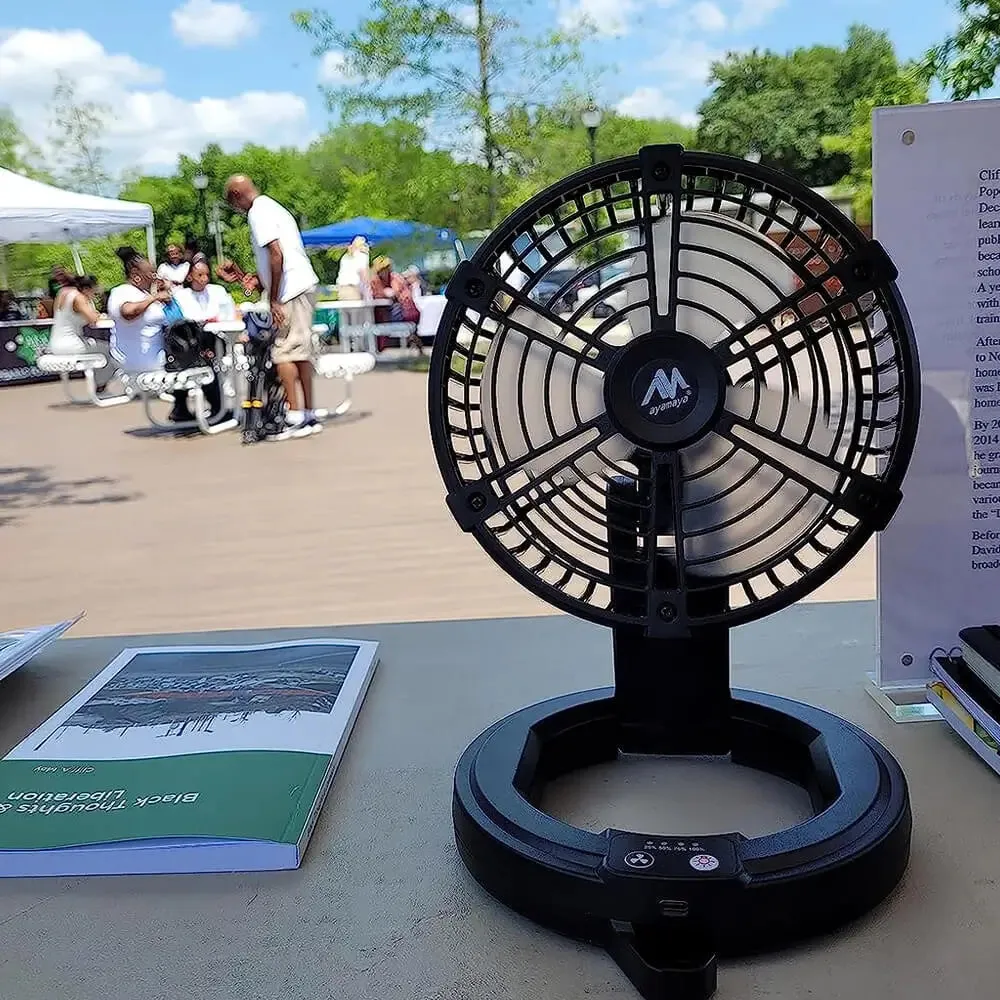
[786, 105]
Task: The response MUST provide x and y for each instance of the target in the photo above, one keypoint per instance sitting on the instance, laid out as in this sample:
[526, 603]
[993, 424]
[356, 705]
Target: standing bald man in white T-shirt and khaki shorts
[286, 276]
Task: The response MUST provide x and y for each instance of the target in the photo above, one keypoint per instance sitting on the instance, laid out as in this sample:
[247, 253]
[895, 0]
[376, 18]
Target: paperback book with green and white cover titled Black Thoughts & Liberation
[185, 759]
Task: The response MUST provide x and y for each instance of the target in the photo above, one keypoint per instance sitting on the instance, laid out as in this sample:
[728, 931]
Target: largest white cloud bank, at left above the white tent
[148, 127]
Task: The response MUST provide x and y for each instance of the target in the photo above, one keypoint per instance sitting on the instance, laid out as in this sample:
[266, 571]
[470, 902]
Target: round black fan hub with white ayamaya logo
[665, 390]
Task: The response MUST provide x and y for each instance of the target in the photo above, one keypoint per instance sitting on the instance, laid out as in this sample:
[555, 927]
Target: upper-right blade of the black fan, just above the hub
[730, 269]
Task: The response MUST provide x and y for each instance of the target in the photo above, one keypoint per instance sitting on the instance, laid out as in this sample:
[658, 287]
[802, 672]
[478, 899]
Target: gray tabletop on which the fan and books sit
[382, 907]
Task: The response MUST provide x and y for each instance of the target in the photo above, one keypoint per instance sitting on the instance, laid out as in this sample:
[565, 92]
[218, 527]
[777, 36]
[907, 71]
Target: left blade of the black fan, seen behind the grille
[527, 395]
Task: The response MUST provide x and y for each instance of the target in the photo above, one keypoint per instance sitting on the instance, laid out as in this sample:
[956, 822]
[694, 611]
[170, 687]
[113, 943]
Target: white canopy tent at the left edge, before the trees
[33, 212]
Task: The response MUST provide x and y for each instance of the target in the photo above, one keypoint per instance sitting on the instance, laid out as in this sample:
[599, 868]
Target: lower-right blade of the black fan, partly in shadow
[739, 512]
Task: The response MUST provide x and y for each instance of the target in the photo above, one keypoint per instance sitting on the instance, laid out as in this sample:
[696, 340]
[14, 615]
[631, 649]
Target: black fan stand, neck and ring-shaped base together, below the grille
[663, 906]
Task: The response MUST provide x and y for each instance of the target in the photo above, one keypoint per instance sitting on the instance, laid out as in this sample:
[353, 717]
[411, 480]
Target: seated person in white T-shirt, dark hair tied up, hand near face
[137, 310]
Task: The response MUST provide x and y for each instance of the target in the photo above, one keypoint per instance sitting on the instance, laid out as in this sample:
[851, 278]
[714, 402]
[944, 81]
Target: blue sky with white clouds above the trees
[182, 73]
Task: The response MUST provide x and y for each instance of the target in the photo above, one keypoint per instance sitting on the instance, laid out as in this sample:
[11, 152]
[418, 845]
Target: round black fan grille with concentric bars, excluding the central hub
[838, 348]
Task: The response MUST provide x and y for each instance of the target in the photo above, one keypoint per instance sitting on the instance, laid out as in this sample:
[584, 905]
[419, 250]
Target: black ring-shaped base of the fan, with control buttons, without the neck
[664, 906]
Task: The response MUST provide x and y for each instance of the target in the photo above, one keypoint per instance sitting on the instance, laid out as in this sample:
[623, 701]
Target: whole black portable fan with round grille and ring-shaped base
[709, 435]
